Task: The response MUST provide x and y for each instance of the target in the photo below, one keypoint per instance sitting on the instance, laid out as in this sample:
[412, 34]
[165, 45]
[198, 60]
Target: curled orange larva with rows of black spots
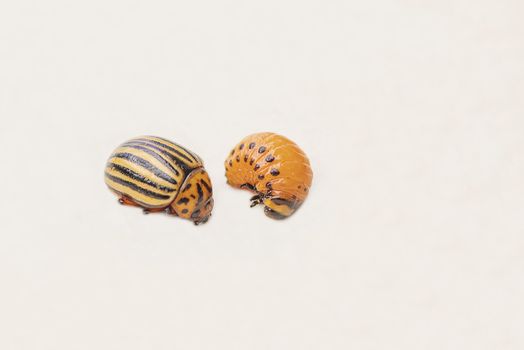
[273, 167]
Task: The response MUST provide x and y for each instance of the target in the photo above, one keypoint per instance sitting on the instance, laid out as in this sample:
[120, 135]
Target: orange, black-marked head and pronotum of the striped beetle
[195, 198]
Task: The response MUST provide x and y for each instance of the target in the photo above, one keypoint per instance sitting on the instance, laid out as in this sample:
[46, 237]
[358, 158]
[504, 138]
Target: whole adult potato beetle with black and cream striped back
[159, 175]
